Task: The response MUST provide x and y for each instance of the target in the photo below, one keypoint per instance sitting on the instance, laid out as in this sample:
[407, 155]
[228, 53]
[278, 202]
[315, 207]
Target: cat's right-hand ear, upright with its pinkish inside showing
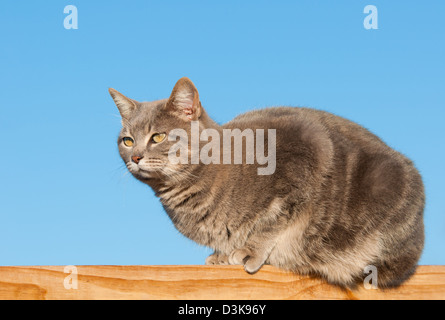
[184, 100]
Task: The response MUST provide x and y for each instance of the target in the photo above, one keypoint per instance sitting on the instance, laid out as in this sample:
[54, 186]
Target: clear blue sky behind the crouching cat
[65, 197]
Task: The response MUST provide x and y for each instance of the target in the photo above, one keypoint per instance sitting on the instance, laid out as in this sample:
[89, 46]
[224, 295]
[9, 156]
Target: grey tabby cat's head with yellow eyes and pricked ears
[143, 141]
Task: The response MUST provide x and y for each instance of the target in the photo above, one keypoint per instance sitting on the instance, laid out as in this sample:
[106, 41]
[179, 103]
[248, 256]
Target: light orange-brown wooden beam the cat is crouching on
[198, 282]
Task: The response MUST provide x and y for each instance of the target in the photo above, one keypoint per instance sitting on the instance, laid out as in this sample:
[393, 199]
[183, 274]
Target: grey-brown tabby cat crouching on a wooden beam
[338, 201]
